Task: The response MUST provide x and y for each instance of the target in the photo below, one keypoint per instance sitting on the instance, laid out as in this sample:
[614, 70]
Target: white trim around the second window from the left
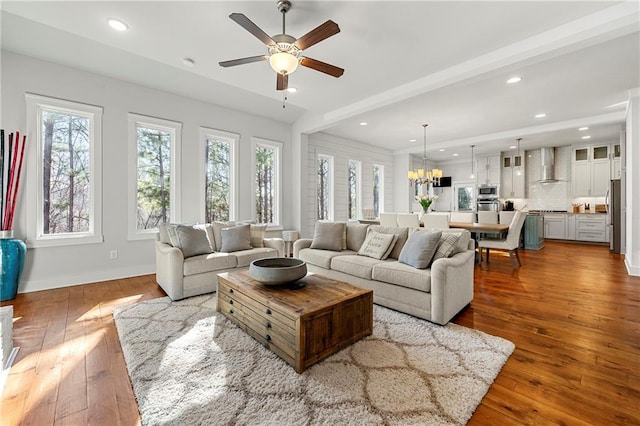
[175, 128]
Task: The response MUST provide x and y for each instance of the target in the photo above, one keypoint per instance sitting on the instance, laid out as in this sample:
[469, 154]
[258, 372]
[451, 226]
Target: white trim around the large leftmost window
[34, 237]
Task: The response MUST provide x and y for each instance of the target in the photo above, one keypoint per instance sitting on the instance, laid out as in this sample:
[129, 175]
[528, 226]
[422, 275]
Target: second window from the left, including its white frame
[154, 160]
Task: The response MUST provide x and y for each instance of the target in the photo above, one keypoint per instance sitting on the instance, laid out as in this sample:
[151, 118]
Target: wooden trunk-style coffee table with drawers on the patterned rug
[300, 324]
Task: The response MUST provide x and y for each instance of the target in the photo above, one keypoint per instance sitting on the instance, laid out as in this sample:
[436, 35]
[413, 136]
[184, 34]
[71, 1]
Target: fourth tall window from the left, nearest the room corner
[267, 181]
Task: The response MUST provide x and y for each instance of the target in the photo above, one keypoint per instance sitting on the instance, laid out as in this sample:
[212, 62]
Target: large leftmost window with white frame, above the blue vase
[65, 188]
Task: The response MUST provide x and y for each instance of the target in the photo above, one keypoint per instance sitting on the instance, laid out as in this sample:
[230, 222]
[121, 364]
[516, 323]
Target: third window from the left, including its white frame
[219, 174]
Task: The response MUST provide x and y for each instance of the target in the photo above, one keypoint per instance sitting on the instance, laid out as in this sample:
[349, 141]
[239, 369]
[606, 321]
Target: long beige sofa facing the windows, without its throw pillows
[436, 293]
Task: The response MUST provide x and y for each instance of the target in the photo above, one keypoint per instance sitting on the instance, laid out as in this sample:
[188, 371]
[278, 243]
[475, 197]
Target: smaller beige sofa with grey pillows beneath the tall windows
[188, 258]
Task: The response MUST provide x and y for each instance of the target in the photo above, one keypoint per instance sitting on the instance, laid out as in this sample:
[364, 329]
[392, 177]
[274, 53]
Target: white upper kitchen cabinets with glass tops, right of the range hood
[591, 168]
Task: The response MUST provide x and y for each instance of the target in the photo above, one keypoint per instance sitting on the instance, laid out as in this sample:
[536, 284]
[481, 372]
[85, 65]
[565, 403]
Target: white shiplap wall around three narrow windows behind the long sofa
[342, 151]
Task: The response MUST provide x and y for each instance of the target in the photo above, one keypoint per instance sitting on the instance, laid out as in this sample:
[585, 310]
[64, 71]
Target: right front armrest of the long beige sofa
[451, 285]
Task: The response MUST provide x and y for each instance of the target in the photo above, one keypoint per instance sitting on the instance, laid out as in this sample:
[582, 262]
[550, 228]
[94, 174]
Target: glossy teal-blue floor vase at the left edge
[12, 254]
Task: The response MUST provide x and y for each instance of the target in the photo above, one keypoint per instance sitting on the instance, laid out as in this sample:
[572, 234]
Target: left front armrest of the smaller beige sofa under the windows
[170, 270]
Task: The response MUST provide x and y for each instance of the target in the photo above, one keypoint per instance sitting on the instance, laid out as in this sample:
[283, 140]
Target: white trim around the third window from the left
[234, 140]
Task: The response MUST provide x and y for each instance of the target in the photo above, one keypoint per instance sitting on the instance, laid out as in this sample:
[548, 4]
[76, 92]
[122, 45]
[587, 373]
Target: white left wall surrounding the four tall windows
[62, 266]
